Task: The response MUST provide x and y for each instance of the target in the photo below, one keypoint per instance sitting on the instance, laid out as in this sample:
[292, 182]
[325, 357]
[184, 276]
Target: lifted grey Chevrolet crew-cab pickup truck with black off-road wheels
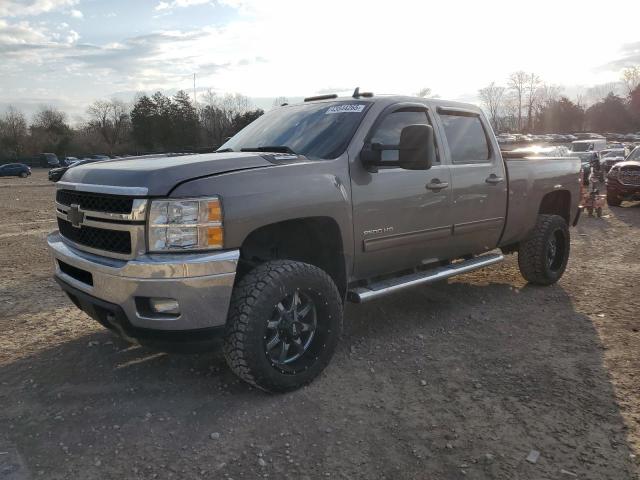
[311, 205]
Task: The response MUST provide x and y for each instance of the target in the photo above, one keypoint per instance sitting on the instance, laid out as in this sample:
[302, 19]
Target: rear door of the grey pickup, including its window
[479, 183]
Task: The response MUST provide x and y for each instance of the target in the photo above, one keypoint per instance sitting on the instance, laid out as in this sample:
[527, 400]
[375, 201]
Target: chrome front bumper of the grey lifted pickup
[200, 282]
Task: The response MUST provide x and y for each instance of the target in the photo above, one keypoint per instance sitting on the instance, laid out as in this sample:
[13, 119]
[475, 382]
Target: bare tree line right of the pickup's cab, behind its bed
[526, 104]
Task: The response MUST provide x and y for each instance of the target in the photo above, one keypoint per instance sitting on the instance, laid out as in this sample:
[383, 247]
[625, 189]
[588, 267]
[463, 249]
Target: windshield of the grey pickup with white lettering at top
[319, 131]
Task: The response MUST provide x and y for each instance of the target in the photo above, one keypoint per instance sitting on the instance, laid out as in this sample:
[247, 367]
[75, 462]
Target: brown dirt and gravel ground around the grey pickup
[456, 380]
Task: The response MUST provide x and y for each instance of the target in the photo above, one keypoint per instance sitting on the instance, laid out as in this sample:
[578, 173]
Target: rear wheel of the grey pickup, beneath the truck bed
[543, 256]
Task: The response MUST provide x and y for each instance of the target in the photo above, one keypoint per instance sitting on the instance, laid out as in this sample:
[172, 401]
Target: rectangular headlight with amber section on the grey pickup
[185, 224]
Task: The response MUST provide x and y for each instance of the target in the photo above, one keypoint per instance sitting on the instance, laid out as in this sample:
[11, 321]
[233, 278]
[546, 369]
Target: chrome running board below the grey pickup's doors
[392, 285]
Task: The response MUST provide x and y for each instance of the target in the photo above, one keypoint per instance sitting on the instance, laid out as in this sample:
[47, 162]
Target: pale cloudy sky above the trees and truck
[68, 53]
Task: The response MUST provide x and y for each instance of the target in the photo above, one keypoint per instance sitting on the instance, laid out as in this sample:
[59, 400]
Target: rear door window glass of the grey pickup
[466, 138]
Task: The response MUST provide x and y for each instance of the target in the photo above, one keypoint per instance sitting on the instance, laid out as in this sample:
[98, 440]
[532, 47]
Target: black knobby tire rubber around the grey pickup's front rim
[252, 304]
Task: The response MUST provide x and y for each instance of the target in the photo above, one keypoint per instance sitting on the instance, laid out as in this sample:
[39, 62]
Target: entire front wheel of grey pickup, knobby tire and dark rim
[285, 320]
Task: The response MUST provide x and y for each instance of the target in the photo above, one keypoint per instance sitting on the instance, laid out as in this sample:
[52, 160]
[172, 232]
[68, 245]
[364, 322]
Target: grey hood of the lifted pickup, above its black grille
[160, 174]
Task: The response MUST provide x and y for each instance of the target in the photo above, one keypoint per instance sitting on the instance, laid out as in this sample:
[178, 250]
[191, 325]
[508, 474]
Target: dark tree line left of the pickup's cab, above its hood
[152, 123]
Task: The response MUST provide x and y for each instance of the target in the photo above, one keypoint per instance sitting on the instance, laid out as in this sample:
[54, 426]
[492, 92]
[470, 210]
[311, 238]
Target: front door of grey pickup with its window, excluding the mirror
[401, 217]
